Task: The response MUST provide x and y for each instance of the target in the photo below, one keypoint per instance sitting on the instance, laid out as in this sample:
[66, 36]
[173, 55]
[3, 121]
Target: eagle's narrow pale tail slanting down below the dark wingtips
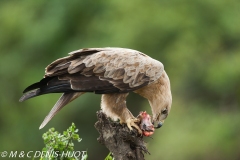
[63, 100]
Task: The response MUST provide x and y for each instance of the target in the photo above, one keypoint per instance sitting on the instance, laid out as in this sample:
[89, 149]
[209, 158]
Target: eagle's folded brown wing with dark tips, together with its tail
[98, 70]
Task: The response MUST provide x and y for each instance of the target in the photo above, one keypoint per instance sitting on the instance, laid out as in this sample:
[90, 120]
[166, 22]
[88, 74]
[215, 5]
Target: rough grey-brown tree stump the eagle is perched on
[123, 144]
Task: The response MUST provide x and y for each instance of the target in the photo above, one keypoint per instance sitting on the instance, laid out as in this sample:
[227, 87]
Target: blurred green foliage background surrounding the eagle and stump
[197, 41]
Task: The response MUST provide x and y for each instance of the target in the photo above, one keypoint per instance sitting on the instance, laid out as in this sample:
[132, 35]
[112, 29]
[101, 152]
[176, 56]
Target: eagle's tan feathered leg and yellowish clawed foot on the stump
[114, 106]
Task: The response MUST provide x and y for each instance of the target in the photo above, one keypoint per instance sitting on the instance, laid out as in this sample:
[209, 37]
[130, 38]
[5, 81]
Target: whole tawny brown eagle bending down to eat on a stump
[113, 72]
